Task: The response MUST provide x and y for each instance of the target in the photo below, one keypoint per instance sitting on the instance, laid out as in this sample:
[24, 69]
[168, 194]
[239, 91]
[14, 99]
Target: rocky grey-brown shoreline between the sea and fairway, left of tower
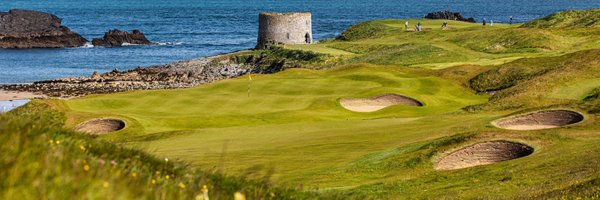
[183, 74]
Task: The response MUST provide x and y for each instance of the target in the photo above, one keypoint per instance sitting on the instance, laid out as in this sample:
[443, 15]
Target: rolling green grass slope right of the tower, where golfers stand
[386, 42]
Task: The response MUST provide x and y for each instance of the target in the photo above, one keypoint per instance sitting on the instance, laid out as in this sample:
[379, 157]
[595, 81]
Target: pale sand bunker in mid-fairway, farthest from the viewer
[377, 103]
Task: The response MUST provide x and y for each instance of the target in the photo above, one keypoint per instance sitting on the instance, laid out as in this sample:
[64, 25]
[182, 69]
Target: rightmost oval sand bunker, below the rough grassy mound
[540, 120]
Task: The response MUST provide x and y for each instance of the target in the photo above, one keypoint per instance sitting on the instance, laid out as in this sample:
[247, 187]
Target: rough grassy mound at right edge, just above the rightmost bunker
[540, 81]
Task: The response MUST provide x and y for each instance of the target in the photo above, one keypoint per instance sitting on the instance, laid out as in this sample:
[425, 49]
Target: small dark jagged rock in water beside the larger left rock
[118, 38]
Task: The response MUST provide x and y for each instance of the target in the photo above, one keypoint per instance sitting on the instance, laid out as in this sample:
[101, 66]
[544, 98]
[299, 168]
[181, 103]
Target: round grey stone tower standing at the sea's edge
[284, 28]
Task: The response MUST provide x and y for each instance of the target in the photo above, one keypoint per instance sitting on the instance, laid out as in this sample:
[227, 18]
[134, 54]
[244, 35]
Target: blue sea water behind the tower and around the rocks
[195, 28]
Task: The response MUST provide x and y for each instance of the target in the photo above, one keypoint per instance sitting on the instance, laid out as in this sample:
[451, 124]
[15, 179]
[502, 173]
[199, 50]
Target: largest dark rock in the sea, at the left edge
[34, 29]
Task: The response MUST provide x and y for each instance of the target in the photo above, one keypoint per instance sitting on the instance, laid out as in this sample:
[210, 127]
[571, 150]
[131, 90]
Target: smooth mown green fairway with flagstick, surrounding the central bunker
[286, 118]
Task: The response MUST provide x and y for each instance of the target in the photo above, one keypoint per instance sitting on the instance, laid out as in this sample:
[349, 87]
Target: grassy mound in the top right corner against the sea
[568, 19]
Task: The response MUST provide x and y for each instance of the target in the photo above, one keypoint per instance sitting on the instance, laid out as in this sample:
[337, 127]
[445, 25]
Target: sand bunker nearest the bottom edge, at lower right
[483, 154]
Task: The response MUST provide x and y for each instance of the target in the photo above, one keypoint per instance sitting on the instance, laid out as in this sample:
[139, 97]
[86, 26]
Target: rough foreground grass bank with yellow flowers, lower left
[41, 160]
